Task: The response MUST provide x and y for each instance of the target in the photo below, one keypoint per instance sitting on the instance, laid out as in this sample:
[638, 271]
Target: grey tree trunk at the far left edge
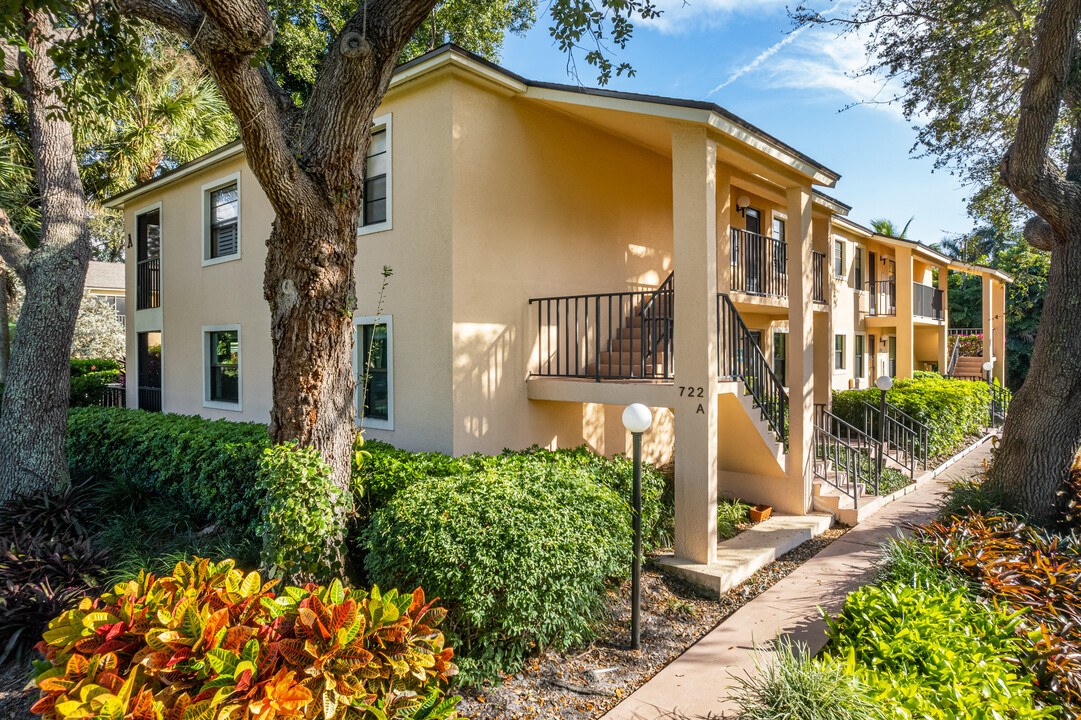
[34, 415]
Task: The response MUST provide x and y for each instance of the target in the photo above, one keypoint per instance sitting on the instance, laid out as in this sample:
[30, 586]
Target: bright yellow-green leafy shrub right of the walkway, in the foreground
[933, 655]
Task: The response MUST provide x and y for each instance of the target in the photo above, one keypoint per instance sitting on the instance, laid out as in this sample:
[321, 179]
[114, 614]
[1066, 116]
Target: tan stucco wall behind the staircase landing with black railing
[544, 205]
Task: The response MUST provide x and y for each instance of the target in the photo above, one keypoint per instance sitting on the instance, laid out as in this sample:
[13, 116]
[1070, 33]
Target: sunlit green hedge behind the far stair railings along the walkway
[952, 409]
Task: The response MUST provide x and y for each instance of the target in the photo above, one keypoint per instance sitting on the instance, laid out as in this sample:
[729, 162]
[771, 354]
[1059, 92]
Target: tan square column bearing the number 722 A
[695, 250]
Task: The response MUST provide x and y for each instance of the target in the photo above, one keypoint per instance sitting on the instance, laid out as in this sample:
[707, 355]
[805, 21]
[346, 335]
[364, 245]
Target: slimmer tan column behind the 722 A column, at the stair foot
[797, 498]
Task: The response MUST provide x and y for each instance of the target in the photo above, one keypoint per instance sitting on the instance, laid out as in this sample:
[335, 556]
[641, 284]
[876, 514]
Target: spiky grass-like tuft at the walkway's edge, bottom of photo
[793, 686]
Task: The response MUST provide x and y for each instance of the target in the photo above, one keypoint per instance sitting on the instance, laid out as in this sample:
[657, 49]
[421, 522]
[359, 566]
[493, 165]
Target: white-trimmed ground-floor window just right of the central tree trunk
[373, 362]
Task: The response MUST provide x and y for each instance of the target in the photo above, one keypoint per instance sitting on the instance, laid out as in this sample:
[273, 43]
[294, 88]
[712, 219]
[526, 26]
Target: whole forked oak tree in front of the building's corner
[304, 81]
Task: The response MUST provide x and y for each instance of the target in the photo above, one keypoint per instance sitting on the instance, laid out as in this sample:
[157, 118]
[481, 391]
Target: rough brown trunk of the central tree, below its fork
[312, 298]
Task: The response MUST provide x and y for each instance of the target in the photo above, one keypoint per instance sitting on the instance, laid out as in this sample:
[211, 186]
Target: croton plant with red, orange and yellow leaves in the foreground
[211, 644]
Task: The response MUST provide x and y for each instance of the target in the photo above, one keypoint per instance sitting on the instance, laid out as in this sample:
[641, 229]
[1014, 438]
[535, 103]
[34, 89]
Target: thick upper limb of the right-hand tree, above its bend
[1027, 168]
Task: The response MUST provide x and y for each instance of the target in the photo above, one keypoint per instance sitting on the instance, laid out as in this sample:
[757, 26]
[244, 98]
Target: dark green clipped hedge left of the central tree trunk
[215, 465]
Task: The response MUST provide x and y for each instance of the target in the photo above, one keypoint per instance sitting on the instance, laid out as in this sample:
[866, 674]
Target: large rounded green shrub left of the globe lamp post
[521, 557]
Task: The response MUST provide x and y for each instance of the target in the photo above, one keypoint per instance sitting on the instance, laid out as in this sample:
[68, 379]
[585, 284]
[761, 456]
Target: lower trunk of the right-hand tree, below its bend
[1044, 430]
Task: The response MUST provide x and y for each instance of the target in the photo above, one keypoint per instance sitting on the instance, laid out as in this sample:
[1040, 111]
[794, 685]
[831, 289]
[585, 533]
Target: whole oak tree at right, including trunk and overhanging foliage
[995, 90]
